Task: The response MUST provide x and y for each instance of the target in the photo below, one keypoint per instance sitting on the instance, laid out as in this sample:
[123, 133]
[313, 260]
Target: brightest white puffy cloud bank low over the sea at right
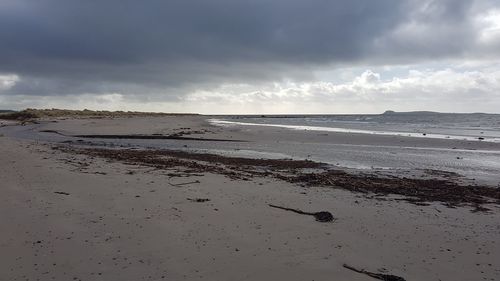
[440, 90]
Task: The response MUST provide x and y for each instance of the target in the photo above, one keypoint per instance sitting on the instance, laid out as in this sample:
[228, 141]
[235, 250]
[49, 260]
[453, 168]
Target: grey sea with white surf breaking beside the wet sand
[474, 126]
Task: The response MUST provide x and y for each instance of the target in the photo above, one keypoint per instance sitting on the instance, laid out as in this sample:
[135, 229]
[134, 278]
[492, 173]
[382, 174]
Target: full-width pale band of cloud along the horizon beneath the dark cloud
[448, 89]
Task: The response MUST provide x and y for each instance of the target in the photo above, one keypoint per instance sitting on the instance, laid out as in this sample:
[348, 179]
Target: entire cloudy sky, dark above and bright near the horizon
[251, 57]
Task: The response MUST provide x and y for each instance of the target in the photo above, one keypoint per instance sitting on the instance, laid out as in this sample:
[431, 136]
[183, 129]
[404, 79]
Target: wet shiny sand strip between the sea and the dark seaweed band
[476, 162]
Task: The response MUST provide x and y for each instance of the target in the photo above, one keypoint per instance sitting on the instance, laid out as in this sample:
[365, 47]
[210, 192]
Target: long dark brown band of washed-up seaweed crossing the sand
[417, 191]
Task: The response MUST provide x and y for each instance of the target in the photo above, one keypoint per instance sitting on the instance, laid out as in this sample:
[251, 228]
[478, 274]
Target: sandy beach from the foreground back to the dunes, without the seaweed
[68, 213]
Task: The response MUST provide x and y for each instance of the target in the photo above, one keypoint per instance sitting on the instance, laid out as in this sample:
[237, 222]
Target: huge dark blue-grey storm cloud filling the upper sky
[75, 46]
